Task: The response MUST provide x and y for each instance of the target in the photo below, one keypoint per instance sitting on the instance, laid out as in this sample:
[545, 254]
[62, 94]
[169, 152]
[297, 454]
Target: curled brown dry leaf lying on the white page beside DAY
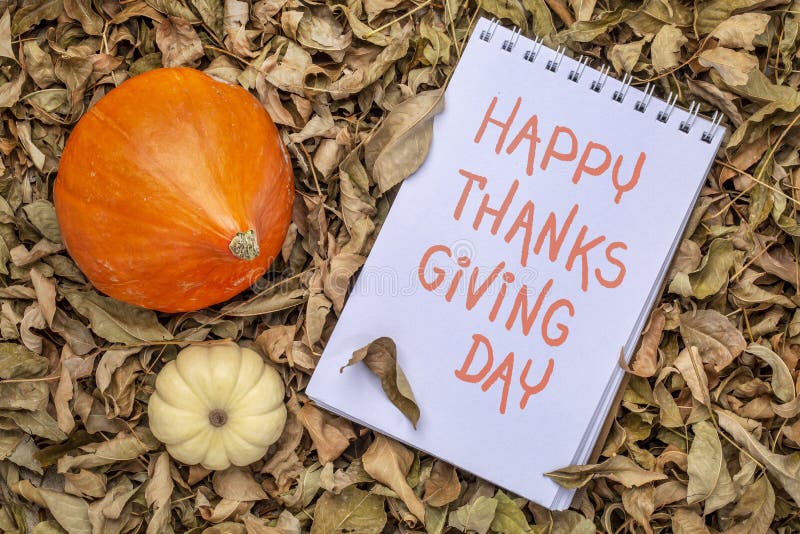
[380, 357]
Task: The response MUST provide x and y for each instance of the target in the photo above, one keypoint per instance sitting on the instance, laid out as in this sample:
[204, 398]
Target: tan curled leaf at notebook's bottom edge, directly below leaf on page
[388, 462]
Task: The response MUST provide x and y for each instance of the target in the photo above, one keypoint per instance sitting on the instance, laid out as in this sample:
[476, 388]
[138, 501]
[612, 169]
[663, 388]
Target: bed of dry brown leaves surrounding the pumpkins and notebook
[707, 436]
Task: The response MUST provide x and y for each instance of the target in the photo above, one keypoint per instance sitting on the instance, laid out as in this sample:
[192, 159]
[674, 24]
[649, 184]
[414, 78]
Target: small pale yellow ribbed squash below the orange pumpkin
[217, 405]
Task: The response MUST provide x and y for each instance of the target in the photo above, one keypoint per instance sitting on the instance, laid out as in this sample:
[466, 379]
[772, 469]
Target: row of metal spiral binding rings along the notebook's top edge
[598, 83]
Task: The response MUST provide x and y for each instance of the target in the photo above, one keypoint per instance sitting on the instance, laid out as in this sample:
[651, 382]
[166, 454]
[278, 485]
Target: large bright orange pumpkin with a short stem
[174, 191]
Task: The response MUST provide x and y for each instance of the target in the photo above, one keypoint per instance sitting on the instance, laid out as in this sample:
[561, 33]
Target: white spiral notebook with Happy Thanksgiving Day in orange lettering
[519, 260]
